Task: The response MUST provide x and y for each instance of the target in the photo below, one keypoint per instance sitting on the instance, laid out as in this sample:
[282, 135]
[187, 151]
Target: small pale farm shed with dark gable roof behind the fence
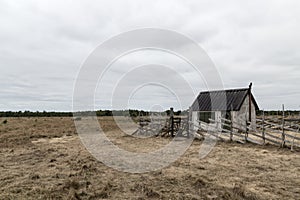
[237, 105]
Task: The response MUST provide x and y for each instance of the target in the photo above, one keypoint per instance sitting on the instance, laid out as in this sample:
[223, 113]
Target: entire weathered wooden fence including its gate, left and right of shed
[282, 131]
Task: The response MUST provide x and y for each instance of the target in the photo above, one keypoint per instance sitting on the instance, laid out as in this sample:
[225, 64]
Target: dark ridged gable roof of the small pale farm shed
[222, 100]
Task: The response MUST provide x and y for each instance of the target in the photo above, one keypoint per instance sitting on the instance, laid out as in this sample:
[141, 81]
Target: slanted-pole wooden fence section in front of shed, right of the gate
[264, 131]
